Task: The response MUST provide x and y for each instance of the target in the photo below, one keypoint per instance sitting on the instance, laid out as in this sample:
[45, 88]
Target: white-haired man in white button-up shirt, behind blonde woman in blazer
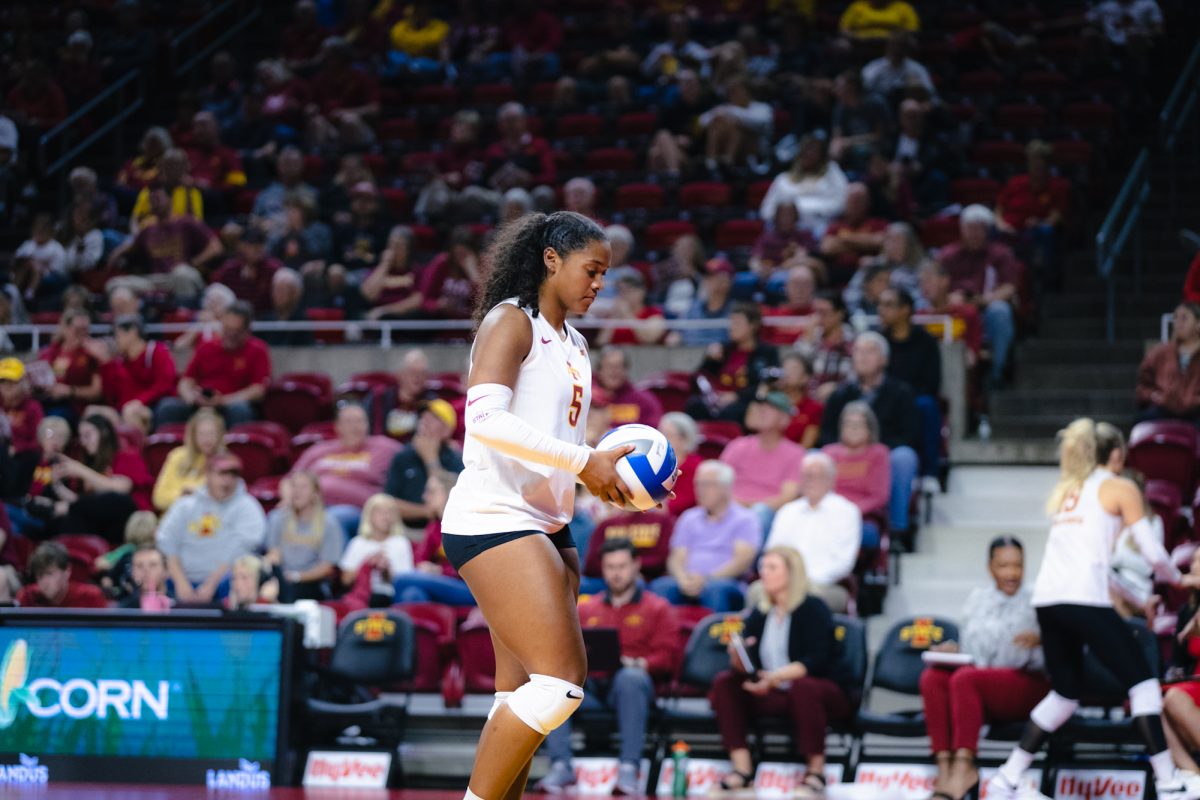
[824, 527]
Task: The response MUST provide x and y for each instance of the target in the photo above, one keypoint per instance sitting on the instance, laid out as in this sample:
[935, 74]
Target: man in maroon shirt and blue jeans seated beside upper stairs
[986, 274]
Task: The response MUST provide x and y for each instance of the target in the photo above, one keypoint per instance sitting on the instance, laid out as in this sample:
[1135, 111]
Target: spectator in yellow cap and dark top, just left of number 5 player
[429, 454]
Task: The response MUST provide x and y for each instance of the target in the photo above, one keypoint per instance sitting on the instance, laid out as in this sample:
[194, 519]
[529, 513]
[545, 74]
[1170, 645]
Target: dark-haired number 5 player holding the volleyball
[505, 527]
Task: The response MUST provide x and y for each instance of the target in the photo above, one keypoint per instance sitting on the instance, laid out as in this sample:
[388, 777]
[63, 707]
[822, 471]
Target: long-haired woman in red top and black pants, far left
[99, 494]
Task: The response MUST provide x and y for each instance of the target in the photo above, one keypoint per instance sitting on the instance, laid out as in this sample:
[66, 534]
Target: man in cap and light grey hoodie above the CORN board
[205, 533]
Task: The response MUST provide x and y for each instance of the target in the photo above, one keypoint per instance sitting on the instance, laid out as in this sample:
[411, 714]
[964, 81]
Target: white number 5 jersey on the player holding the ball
[499, 494]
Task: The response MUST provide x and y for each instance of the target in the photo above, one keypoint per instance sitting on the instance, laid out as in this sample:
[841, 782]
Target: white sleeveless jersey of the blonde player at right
[1079, 554]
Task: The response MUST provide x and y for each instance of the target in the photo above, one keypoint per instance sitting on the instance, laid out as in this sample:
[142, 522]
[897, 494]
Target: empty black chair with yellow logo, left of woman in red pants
[898, 667]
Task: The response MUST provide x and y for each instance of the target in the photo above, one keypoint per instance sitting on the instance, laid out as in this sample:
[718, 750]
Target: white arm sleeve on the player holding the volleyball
[490, 420]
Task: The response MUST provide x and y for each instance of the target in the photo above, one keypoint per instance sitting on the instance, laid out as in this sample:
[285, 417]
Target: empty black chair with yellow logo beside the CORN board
[376, 649]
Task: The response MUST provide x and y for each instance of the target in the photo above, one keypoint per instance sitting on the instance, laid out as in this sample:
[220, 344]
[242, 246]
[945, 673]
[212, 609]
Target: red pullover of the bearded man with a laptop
[647, 628]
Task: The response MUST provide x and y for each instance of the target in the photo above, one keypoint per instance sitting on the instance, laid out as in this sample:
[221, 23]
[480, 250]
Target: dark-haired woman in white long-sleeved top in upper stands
[815, 184]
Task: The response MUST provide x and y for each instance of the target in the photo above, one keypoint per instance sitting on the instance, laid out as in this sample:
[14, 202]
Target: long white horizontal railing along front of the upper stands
[388, 330]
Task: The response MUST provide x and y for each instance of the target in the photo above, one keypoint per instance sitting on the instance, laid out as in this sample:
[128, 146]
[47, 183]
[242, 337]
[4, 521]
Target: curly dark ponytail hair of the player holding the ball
[515, 263]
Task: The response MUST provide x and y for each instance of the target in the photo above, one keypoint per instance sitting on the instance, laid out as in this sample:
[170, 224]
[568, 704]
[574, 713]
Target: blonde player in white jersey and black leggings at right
[1089, 508]
